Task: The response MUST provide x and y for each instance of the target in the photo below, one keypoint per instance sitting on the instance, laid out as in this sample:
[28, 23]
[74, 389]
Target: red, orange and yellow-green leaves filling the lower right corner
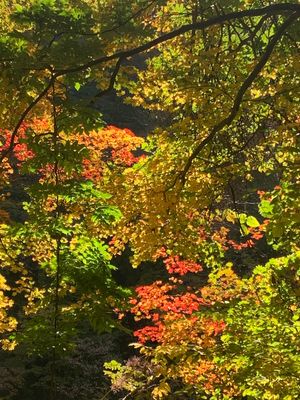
[230, 338]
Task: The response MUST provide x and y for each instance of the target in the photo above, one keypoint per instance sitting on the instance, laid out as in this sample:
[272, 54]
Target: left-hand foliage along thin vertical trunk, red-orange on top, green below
[68, 218]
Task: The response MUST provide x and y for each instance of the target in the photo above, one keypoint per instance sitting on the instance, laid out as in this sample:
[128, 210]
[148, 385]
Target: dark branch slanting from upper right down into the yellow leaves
[239, 97]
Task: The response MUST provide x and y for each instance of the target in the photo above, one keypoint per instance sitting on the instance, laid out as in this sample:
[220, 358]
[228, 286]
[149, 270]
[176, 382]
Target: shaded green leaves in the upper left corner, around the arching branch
[43, 39]
